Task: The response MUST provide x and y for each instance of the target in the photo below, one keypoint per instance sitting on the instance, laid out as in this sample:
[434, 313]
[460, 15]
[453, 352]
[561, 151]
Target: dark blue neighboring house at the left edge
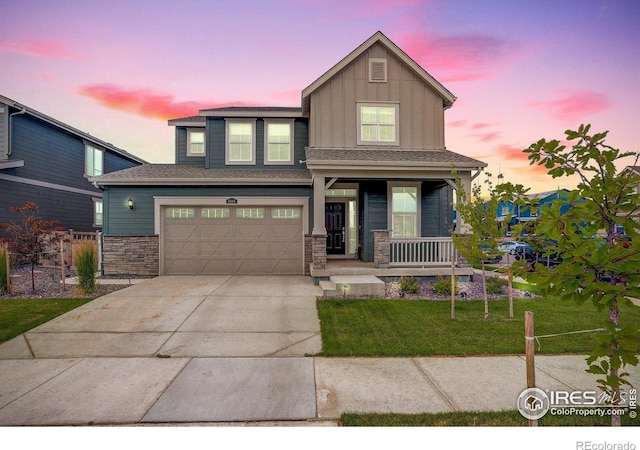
[49, 163]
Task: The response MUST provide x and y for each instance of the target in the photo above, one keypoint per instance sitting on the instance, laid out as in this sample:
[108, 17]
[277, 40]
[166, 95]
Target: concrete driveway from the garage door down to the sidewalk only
[185, 316]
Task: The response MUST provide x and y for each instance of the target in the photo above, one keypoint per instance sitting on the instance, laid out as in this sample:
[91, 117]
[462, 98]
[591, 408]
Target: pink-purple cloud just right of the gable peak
[454, 58]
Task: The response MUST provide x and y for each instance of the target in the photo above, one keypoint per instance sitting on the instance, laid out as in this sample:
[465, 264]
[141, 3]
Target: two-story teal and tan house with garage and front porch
[359, 167]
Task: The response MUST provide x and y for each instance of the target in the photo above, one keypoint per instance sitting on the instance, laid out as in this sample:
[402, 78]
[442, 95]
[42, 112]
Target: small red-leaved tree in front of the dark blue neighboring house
[26, 237]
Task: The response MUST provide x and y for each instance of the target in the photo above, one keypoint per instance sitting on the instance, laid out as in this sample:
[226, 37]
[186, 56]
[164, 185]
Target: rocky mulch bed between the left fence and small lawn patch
[48, 284]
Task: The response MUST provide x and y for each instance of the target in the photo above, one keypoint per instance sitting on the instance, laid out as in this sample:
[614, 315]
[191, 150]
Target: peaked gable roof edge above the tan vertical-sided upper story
[379, 38]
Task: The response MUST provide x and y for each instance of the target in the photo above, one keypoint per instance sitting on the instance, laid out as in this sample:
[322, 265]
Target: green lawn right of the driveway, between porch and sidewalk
[355, 327]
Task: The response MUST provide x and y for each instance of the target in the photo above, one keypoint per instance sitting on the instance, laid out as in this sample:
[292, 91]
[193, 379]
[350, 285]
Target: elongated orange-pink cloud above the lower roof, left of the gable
[145, 103]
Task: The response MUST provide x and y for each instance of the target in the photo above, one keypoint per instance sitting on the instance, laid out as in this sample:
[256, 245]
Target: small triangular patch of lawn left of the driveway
[22, 314]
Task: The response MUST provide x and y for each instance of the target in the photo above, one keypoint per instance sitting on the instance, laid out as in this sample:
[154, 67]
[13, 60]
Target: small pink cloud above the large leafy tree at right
[573, 106]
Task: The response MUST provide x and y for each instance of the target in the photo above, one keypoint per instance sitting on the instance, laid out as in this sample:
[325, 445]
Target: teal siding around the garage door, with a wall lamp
[121, 220]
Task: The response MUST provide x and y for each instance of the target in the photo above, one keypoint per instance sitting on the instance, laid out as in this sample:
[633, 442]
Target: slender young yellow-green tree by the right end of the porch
[479, 241]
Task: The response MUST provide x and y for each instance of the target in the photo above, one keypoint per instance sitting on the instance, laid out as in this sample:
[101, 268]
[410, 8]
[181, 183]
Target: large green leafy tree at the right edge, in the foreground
[595, 266]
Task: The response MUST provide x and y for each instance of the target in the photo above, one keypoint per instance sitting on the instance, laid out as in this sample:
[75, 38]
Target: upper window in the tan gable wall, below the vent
[378, 123]
